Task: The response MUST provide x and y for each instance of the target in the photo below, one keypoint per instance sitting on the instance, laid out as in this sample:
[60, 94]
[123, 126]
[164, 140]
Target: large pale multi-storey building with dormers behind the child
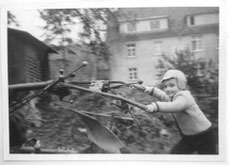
[139, 36]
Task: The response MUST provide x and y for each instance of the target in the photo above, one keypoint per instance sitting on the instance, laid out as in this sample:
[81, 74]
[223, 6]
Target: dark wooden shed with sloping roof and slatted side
[28, 58]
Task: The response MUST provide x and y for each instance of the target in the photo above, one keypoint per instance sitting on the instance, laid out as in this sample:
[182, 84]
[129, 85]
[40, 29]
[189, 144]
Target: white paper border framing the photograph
[223, 122]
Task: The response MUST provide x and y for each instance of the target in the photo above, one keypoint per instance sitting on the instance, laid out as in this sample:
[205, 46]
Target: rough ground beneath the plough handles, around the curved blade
[64, 129]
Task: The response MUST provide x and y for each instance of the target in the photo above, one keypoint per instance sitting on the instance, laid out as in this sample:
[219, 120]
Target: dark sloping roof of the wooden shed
[27, 37]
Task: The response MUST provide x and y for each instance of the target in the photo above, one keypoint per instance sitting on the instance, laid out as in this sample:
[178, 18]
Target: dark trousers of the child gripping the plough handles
[202, 143]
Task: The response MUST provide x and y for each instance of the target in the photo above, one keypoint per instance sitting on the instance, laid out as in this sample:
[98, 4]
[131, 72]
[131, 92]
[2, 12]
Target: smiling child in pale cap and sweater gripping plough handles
[197, 132]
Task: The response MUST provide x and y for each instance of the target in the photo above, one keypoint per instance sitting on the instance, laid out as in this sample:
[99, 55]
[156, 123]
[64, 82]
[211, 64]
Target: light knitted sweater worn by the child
[190, 118]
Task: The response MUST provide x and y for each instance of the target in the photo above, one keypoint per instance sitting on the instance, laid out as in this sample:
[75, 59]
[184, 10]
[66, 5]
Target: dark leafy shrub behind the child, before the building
[202, 75]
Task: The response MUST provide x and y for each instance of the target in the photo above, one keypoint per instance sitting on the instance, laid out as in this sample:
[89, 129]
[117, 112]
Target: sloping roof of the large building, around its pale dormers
[176, 21]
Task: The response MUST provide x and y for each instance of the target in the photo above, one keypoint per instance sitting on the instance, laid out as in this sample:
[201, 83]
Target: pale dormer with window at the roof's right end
[203, 19]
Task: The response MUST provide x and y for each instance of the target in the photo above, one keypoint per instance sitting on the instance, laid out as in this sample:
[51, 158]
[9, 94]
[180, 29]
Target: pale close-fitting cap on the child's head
[178, 75]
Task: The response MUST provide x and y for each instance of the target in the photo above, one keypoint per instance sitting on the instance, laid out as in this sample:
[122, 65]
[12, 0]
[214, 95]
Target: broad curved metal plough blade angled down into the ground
[99, 134]
